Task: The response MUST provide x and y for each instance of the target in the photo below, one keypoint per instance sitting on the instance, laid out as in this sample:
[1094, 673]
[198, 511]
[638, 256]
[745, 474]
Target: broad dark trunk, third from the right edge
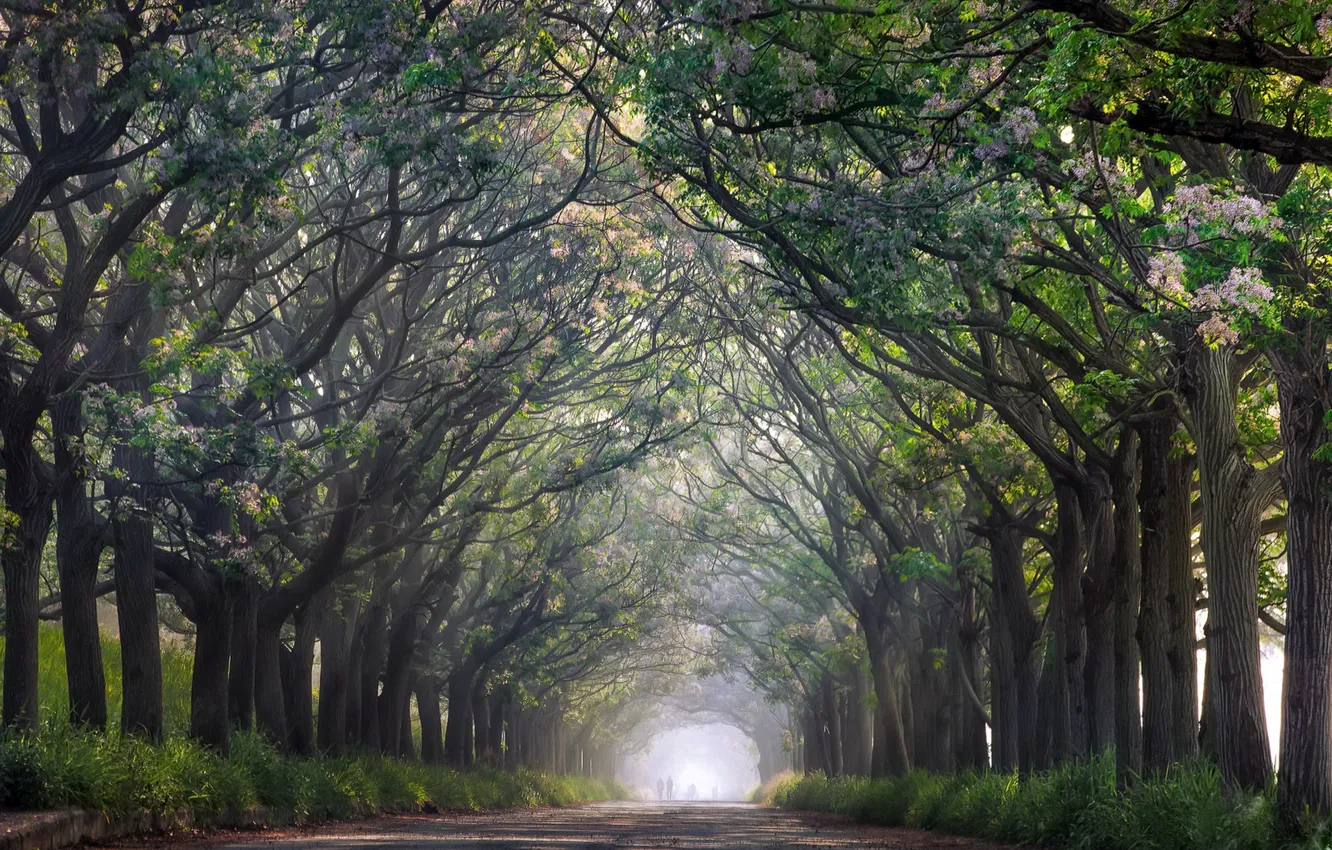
[1166, 623]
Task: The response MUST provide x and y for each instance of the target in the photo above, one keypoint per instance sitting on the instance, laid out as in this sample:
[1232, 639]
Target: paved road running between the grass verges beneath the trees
[604, 827]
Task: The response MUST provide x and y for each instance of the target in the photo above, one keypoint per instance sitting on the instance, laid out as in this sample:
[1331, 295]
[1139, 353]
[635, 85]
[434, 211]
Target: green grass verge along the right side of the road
[1074, 808]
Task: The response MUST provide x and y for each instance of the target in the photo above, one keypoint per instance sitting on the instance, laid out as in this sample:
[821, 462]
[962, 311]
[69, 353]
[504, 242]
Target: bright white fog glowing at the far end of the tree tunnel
[704, 756]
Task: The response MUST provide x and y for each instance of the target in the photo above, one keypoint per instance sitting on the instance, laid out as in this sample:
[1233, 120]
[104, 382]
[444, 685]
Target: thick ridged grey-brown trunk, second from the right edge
[1233, 499]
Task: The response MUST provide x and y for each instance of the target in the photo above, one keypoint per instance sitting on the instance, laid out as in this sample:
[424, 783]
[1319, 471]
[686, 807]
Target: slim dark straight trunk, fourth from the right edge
[1129, 727]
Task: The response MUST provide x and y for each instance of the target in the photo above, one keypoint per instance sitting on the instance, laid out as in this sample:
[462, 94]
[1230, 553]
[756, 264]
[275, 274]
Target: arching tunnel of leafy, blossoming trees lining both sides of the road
[909, 386]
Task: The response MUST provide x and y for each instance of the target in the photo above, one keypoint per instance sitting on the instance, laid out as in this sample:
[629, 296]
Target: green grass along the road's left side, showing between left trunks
[62, 767]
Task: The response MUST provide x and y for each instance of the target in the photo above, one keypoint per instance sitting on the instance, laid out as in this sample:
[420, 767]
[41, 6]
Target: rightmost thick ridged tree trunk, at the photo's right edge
[1306, 765]
